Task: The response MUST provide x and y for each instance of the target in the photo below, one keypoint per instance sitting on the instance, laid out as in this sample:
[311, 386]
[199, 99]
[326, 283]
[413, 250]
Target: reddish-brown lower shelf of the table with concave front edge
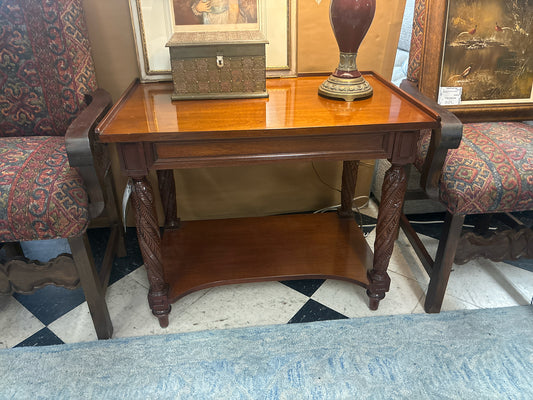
[202, 254]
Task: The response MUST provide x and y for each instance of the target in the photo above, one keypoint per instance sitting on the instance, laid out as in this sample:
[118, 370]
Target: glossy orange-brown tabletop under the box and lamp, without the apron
[292, 109]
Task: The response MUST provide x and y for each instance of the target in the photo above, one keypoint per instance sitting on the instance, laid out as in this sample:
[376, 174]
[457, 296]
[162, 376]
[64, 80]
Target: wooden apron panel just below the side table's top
[138, 158]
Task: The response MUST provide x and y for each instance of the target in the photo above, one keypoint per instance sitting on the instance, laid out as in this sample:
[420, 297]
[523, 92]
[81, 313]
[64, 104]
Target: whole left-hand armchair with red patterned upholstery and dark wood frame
[54, 178]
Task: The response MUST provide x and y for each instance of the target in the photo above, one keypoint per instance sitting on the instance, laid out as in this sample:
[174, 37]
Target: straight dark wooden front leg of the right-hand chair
[450, 236]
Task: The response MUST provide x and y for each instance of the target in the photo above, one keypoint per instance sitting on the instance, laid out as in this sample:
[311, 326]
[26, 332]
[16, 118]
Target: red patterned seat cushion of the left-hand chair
[41, 197]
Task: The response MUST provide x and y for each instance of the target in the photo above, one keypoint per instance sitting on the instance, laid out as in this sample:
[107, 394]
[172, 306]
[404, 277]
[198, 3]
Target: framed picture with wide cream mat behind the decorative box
[154, 22]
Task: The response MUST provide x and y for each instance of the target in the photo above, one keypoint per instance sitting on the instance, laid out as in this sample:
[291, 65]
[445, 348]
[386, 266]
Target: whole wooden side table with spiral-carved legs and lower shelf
[153, 133]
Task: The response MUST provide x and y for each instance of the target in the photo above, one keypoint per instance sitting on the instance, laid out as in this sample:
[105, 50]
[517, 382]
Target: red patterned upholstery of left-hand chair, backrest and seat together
[45, 70]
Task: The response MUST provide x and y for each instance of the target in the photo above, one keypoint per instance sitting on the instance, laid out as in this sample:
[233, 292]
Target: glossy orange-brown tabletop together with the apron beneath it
[295, 123]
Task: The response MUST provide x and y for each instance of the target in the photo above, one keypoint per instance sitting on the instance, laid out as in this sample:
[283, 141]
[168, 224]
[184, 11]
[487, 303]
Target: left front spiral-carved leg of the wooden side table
[150, 244]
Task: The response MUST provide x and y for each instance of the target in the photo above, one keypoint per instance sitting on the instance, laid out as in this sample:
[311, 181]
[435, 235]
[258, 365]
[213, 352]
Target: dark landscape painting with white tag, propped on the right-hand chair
[478, 58]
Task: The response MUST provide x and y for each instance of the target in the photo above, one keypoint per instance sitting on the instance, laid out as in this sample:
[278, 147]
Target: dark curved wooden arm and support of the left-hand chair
[85, 154]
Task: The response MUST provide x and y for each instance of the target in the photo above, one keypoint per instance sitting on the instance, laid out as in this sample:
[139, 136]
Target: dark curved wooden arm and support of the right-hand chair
[447, 137]
